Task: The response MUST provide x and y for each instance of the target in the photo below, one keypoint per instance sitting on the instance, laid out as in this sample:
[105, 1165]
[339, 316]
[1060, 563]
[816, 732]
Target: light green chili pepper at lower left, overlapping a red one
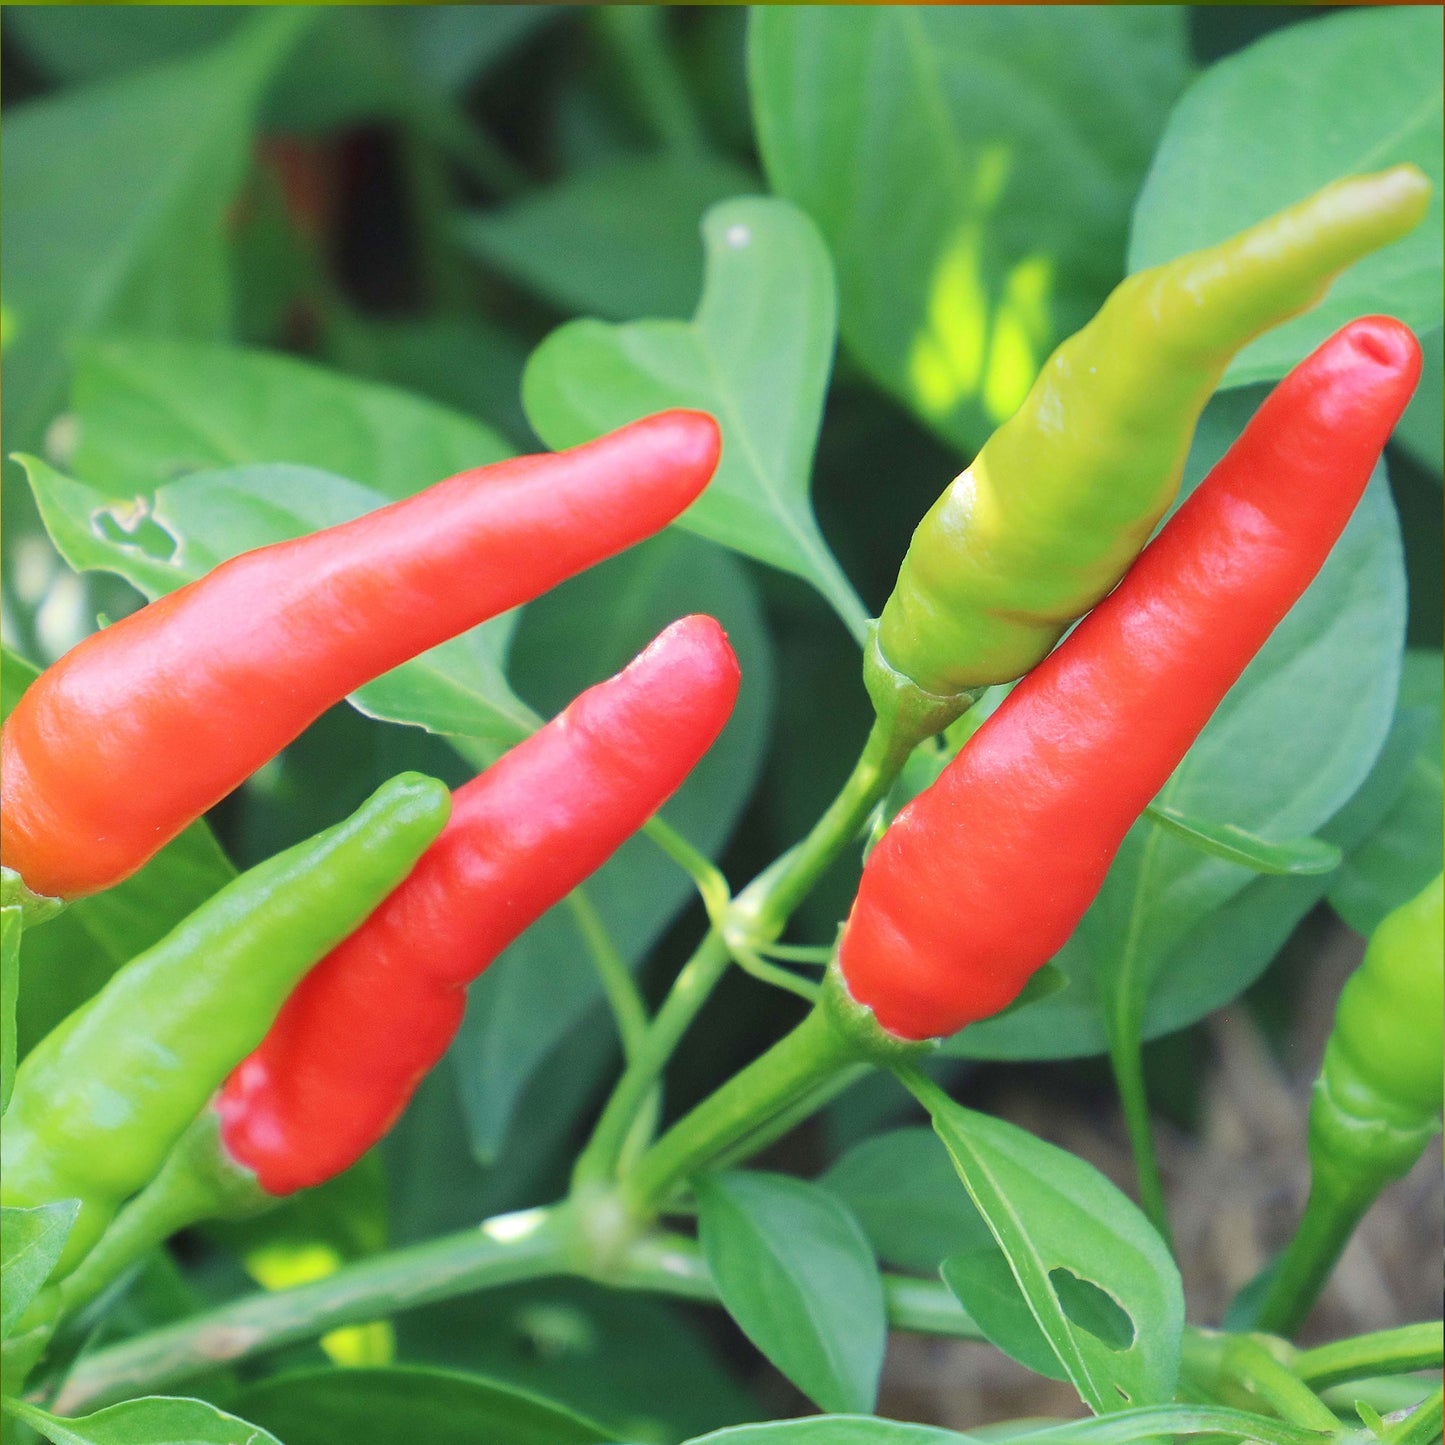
[102, 1100]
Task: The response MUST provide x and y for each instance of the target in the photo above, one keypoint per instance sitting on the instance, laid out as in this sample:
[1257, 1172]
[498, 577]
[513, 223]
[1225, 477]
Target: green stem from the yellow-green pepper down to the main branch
[761, 913]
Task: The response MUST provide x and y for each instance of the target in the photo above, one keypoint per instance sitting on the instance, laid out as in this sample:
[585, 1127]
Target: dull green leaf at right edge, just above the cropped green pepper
[1404, 852]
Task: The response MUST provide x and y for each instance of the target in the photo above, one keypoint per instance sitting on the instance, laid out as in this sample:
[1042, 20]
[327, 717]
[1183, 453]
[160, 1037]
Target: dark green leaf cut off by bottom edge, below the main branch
[410, 1402]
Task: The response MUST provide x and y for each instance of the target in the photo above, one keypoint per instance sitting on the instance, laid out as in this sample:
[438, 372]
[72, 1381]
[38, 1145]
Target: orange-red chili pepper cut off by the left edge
[147, 725]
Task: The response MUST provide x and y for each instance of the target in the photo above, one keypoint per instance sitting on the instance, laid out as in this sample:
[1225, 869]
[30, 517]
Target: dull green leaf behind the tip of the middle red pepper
[570, 639]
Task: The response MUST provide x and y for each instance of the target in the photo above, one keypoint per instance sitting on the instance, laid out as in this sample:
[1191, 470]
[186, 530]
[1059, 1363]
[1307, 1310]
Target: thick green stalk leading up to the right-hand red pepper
[800, 1064]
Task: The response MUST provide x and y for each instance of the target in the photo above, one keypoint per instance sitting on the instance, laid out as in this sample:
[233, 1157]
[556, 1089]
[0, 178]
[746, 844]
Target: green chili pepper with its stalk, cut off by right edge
[1378, 1099]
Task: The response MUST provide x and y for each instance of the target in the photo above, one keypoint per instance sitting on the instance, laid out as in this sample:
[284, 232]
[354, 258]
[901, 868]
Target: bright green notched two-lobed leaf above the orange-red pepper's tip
[756, 356]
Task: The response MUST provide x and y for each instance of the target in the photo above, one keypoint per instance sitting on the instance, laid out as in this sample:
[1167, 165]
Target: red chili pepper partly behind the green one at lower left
[356, 1038]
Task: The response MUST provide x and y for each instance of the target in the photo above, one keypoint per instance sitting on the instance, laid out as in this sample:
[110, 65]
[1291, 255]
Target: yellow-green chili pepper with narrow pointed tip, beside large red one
[1067, 492]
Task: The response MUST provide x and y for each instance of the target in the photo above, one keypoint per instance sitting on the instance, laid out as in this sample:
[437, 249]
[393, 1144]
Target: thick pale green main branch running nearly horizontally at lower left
[532, 1245]
